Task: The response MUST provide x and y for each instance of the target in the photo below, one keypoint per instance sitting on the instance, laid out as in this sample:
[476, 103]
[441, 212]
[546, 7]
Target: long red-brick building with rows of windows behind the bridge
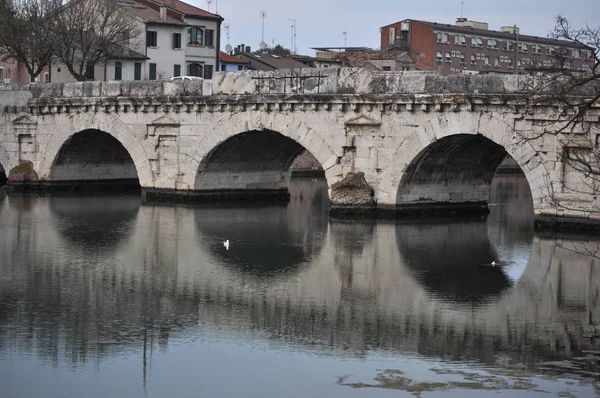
[470, 47]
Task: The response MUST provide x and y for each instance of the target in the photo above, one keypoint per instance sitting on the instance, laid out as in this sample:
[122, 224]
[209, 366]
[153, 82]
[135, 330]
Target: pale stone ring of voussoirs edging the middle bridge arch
[288, 126]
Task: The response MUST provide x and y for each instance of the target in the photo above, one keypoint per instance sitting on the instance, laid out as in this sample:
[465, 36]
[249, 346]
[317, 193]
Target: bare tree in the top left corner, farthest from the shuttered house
[27, 34]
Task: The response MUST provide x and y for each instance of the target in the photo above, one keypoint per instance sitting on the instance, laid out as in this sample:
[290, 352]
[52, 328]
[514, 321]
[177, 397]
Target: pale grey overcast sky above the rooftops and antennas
[321, 23]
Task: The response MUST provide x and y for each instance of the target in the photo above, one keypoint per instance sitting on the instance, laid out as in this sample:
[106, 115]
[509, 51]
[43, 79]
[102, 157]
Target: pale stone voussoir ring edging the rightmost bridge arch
[493, 128]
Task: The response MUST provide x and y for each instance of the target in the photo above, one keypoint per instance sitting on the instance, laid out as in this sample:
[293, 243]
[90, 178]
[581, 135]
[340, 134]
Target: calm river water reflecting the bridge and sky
[107, 297]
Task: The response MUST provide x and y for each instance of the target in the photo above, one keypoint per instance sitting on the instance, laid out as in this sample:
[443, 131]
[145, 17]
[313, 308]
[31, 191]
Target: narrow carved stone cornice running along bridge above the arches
[280, 103]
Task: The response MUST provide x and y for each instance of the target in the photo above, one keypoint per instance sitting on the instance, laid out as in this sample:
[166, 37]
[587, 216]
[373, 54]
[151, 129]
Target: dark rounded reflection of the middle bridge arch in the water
[265, 241]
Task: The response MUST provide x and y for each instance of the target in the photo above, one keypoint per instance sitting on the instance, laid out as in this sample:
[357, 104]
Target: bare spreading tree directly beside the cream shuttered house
[92, 32]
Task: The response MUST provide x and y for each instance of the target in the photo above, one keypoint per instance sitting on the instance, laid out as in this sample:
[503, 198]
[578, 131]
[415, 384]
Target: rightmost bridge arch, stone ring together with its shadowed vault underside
[452, 158]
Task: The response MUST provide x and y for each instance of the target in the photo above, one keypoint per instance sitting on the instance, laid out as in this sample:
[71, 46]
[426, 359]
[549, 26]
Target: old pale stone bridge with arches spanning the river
[423, 141]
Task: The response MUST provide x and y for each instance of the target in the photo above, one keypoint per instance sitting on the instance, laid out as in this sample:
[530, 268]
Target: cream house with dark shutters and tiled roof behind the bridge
[176, 39]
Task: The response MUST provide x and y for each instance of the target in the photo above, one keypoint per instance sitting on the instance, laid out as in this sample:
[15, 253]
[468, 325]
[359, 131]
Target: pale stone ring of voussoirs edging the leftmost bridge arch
[106, 123]
